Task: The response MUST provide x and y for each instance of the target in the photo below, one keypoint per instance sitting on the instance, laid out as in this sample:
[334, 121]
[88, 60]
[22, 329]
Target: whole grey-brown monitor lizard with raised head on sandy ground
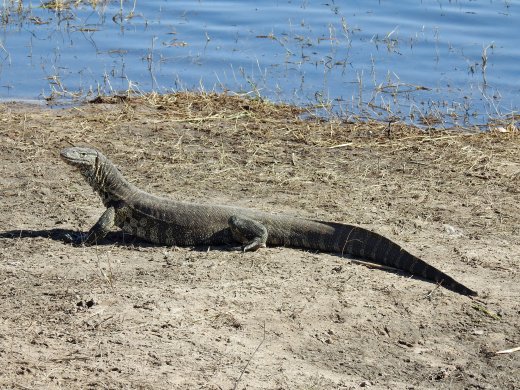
[168, 222]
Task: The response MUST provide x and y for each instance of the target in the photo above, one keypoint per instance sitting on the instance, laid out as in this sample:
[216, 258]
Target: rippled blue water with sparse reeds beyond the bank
[377, 59]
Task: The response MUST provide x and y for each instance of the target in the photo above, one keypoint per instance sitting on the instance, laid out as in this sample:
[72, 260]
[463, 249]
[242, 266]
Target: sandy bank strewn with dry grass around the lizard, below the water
[128, 315]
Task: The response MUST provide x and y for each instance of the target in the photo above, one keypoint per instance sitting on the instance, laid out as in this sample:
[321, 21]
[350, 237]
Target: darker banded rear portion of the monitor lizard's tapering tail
[363, 243]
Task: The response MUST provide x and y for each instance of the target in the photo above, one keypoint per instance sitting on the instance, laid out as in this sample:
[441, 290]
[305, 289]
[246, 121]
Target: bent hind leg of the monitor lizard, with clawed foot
[250, 233]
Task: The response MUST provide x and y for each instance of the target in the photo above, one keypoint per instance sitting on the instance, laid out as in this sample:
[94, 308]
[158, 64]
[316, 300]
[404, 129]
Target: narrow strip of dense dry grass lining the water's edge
[300, 123]
